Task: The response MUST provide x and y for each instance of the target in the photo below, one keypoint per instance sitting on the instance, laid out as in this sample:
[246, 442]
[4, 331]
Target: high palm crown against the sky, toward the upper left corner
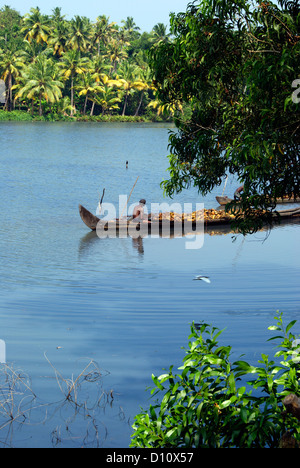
[36, 26]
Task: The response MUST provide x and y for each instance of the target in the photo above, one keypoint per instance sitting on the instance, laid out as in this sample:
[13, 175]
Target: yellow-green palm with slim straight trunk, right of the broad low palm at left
[73, 64]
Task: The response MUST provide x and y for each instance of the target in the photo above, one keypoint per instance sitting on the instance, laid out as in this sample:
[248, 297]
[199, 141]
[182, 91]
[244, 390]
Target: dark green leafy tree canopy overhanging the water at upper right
[233, 65]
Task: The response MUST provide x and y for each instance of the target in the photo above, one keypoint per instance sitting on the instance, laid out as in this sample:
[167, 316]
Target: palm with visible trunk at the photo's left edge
[11, 64]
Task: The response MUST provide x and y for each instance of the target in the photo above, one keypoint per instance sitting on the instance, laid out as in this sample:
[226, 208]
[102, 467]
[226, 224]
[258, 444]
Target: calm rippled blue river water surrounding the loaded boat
[69, 298]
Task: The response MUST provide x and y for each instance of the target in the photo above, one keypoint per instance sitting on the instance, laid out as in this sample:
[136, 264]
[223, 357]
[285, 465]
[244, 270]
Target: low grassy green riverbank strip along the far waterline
[23, 116]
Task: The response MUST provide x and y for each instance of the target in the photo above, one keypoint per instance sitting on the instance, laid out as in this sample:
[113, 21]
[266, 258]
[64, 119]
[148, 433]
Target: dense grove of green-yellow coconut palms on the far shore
[57, 69]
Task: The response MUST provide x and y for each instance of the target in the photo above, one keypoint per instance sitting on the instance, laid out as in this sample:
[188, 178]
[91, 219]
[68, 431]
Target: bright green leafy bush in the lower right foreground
[215, 404]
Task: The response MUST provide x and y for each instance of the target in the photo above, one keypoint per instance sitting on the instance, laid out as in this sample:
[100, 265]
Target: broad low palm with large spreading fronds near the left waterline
[41, 83]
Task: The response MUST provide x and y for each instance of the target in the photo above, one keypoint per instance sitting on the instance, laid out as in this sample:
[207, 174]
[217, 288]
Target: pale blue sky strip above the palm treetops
[146, 13]
